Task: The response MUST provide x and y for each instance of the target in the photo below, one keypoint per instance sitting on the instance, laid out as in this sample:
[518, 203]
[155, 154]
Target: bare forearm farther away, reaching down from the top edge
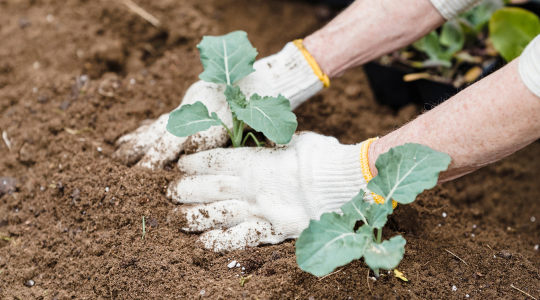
[368, 29]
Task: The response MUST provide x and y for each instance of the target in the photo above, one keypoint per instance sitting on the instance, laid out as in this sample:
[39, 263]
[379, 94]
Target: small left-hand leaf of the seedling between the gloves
[190, 119]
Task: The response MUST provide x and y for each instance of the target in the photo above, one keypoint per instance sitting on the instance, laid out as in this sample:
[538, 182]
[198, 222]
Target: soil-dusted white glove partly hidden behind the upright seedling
[287, 73]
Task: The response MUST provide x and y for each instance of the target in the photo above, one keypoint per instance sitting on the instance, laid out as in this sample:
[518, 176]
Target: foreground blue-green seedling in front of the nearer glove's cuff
[404, 172]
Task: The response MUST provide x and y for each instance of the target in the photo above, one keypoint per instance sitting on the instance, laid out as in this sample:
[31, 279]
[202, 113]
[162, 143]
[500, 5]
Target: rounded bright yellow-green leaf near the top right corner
[511, 29]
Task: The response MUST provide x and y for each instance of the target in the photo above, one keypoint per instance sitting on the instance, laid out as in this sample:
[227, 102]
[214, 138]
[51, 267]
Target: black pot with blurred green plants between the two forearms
[450, 58]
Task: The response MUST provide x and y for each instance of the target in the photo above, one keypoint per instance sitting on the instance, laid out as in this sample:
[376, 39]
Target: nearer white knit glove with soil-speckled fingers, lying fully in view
[250, 196]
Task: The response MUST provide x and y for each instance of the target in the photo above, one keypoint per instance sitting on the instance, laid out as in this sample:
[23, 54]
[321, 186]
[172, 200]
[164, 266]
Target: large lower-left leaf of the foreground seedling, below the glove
[329, 243]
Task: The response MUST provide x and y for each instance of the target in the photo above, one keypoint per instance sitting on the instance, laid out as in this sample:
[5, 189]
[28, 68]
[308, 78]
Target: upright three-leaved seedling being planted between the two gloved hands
[227, 59]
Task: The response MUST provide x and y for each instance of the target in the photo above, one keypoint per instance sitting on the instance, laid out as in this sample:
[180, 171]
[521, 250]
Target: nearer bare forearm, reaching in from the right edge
[484, 123]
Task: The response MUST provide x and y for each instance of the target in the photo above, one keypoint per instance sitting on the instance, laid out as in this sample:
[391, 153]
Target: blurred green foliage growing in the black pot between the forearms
[510, 30]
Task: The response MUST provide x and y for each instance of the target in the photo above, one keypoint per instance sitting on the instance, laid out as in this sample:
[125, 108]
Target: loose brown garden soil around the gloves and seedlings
[71, 223]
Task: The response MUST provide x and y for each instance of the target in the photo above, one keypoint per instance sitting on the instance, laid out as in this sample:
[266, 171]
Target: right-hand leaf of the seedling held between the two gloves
[269, 115]
